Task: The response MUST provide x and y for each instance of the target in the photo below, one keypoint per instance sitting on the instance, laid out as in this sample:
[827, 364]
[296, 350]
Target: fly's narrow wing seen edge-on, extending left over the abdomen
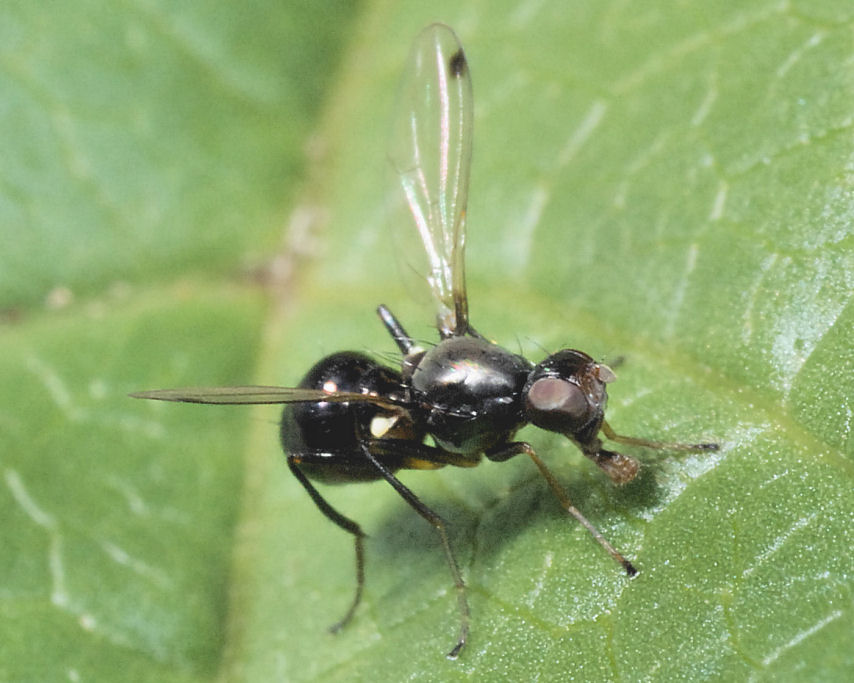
[255, 395]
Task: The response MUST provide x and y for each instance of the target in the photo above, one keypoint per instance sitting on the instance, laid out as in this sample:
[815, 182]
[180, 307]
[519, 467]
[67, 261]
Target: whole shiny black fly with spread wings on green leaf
[353, 419]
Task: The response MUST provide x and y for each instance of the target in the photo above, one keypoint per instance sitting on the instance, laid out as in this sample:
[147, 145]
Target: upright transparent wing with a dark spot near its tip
[431, 152]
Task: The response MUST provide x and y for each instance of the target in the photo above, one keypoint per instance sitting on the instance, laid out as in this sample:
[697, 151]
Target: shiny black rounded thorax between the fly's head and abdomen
[471, 393]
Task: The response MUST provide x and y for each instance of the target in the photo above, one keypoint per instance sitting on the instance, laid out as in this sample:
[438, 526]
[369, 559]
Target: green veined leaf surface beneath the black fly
[667, 184]
